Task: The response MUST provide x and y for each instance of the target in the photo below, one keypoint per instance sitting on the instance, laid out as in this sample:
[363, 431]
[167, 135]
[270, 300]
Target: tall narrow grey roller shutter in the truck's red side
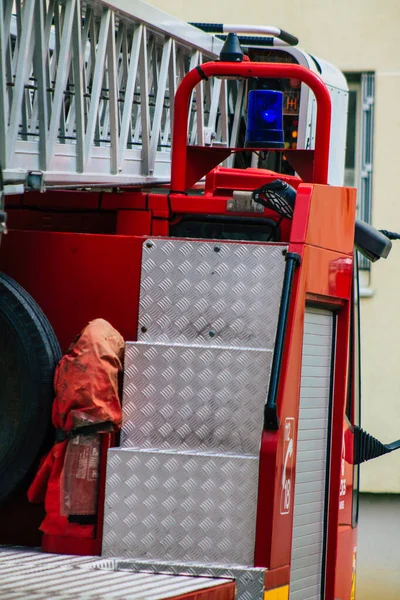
[308, 545]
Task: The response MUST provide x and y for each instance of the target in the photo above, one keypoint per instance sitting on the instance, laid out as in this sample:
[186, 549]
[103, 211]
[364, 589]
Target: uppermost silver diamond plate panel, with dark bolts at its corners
[210, 293]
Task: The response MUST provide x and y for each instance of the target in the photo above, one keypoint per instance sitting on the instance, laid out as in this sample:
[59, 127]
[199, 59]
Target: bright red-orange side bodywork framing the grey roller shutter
[326, 277]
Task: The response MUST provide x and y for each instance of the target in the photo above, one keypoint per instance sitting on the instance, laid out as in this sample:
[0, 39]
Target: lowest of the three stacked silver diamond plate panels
[180, 506]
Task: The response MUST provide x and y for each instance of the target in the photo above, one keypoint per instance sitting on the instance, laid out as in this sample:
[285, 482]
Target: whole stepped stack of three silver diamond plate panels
[184, 486]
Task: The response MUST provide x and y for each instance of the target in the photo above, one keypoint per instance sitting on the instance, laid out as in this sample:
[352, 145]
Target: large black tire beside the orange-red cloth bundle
[29, 353]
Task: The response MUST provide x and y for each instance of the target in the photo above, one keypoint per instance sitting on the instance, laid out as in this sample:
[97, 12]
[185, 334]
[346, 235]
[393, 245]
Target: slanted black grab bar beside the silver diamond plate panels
[271, 419]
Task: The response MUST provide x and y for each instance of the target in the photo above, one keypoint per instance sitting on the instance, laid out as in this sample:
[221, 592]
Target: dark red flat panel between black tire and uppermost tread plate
[76, 278]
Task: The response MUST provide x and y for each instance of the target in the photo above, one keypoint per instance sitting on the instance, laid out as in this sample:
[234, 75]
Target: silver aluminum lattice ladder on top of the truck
[86, 91]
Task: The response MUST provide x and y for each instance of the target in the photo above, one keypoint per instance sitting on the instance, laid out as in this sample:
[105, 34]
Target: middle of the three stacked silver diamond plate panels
[207, 399]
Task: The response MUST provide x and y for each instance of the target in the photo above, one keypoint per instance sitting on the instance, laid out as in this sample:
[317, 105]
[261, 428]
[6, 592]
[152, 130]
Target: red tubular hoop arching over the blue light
[248, 70]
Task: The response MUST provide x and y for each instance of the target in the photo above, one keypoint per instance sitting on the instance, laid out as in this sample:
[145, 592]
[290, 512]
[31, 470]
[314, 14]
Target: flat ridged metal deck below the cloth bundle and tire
[38, 576]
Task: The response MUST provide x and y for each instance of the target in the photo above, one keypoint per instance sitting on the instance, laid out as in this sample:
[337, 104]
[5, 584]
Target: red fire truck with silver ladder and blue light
[183, 183]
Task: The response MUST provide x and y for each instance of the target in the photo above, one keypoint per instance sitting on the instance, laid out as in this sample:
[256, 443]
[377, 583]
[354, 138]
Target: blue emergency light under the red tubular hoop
[265, 120]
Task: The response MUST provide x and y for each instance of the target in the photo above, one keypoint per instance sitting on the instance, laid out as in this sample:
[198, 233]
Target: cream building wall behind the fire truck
[356, 36]
